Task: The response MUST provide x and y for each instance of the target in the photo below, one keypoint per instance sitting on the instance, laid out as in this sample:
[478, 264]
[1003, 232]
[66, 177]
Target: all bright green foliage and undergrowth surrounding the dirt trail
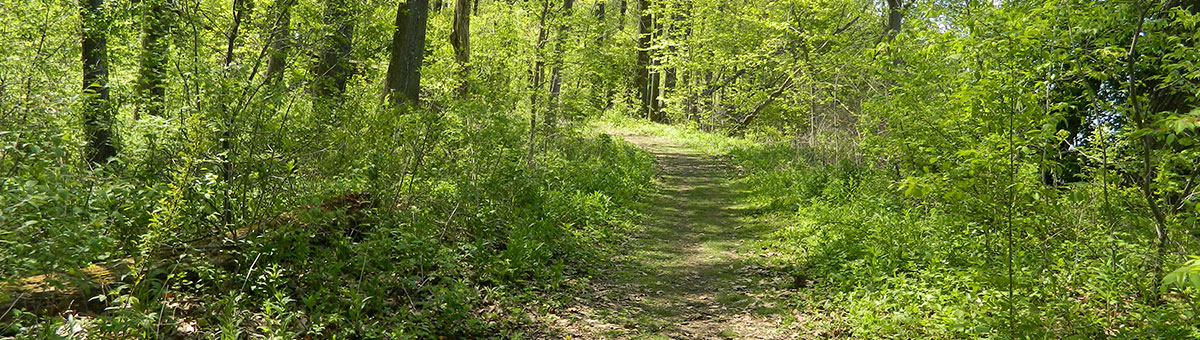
[991, 170]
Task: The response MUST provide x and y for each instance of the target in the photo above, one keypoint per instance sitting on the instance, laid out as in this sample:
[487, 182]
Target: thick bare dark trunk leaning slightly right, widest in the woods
[404, 82]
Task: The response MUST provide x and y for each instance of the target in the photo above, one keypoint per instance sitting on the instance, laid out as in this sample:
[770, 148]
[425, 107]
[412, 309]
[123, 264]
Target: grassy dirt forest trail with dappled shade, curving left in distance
[691, 272]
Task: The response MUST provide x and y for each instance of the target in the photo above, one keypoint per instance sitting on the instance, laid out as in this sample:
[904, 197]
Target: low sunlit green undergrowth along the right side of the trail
[874, 258]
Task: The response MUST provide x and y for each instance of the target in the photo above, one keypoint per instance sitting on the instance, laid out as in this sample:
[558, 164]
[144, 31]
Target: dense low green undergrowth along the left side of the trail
[461, 246]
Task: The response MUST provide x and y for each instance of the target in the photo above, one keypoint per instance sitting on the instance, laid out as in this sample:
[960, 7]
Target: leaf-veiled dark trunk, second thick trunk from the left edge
[152, 88]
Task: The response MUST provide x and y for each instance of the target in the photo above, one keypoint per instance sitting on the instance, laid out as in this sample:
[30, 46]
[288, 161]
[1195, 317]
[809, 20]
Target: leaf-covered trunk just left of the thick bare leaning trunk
[334, 69]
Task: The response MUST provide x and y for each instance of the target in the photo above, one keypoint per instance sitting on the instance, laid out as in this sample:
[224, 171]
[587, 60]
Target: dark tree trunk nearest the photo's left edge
[98, 110]
